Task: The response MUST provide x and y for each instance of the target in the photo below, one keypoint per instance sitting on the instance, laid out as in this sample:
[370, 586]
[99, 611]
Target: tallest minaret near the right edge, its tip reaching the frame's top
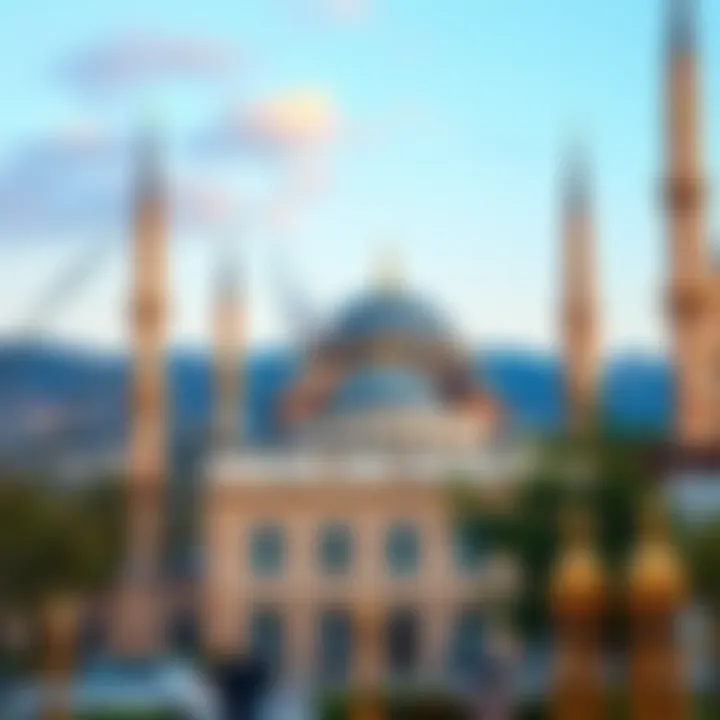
[685, 202]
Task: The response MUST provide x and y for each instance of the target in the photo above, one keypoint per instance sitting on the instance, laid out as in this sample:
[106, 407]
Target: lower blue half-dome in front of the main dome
[383, 387]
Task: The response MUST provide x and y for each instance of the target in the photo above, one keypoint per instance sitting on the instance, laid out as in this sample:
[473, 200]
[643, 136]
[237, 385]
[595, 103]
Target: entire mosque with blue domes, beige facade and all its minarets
[336, 554]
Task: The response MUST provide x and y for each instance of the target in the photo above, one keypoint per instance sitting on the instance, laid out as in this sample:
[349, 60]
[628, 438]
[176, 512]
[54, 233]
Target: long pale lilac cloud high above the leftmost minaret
[140, 57]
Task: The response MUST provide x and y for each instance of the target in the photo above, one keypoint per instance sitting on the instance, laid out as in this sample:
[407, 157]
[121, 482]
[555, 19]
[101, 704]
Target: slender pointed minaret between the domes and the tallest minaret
[579, 302]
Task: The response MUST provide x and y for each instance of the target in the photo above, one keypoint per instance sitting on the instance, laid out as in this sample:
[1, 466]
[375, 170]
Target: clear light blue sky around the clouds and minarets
[449, 120]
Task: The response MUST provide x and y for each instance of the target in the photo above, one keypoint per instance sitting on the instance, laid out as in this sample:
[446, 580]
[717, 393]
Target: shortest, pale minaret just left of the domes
[228, 328]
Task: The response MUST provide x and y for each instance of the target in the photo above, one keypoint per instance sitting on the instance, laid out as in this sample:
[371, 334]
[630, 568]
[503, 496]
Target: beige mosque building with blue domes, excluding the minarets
[350, 523]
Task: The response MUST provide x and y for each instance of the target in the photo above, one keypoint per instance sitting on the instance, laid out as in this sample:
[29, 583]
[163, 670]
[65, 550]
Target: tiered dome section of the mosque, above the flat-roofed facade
[388, 371]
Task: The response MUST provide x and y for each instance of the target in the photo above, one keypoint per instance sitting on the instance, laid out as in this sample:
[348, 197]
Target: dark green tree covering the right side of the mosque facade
[605, 473]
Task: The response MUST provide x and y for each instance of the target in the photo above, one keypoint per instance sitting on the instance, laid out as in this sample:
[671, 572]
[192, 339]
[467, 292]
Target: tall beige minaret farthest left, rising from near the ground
[138, 628]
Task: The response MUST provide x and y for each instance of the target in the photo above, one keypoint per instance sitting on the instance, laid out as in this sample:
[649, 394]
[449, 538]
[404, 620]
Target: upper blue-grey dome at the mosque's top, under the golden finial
[389, 313]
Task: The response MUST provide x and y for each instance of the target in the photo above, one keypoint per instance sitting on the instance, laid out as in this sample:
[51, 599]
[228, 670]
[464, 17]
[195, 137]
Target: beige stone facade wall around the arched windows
[302, 591]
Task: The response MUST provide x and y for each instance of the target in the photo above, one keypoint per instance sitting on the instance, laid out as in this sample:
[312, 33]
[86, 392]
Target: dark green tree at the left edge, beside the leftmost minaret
[58, 546]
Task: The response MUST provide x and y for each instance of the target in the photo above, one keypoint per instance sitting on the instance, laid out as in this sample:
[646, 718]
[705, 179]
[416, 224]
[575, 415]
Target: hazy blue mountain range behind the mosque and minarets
[52, 397]
